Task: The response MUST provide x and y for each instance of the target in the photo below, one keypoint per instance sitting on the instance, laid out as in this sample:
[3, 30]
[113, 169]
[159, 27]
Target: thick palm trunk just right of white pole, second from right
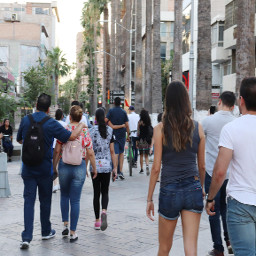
[204, 62]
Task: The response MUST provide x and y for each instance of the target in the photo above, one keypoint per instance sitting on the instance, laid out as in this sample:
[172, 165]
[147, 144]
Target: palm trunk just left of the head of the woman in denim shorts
[157, 106]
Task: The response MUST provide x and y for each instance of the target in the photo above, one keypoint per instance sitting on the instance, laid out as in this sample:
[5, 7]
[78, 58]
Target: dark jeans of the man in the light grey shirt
[221, 210]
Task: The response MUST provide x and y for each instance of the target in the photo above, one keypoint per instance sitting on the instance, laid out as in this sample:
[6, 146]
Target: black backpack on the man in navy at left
[33, 149]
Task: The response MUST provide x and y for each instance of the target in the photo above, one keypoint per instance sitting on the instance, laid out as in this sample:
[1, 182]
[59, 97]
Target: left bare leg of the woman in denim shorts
[166, 230]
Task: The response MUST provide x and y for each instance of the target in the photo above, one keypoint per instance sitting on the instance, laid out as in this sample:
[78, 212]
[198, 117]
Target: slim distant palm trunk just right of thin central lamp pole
[138, 58]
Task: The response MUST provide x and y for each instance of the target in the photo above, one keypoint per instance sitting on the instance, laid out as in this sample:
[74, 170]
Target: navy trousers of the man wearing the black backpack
[44, 185]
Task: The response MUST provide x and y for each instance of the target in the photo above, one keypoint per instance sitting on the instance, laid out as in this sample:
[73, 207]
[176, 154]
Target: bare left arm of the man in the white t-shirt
[219, 176]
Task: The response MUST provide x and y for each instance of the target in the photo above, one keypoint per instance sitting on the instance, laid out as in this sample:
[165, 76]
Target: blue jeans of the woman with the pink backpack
[71, 178]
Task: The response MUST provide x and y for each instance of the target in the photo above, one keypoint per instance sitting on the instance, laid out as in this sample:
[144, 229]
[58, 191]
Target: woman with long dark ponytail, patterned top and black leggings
[103, 146]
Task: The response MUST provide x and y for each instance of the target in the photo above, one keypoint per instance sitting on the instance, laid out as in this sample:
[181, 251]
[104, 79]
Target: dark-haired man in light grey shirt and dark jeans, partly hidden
[212, 126]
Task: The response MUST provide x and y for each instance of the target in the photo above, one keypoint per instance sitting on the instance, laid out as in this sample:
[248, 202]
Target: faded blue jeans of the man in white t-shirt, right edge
[241, 220]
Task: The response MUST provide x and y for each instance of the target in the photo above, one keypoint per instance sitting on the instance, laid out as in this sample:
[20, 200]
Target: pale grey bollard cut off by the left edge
[4, 182]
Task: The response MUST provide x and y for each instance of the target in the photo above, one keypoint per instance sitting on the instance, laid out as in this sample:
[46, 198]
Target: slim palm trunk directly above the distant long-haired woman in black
[148, 58]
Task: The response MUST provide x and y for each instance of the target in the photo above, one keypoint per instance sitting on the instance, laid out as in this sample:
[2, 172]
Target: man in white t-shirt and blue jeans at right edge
[237, 152]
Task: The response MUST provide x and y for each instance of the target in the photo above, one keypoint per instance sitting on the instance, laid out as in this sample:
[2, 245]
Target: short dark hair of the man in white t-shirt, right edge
[248, 92]
